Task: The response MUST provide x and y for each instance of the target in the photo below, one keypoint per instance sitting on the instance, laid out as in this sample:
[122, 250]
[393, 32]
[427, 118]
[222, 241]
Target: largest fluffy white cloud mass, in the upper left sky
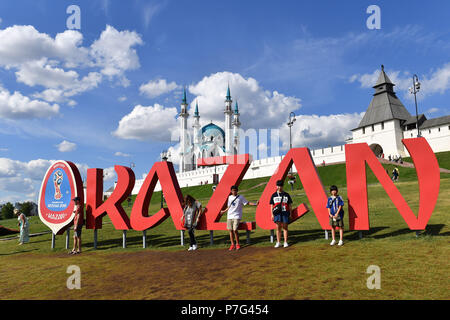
[43, 61]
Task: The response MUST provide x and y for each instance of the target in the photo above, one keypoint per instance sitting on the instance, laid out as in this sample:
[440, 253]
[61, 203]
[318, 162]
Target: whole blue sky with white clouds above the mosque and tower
[108, 93]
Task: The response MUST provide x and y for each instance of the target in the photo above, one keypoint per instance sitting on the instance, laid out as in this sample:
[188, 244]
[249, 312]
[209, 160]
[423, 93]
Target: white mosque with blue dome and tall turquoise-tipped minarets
[209, 140]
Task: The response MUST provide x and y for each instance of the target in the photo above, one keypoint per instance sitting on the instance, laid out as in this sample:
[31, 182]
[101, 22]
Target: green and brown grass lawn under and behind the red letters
[411, 267]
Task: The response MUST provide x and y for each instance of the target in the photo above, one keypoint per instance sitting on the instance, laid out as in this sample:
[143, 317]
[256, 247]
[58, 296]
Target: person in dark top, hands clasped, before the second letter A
[281, 209]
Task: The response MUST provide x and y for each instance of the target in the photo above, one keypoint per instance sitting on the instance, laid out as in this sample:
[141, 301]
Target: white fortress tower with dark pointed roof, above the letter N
[382, 125]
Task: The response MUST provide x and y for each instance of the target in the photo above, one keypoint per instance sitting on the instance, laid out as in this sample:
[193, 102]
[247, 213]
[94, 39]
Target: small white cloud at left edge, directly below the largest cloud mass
[18, 106]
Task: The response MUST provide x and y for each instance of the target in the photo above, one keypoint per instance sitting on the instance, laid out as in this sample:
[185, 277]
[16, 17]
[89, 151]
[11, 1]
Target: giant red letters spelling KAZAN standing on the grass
[357, 156]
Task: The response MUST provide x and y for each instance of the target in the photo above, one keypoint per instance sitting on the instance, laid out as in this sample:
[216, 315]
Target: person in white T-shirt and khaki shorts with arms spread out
[234, 216]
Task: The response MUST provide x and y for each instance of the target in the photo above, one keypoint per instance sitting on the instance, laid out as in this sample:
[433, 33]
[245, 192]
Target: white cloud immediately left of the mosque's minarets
[147, 123]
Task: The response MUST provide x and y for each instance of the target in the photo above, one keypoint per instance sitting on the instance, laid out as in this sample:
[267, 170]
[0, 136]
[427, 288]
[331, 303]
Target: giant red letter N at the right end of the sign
[427, 168]
